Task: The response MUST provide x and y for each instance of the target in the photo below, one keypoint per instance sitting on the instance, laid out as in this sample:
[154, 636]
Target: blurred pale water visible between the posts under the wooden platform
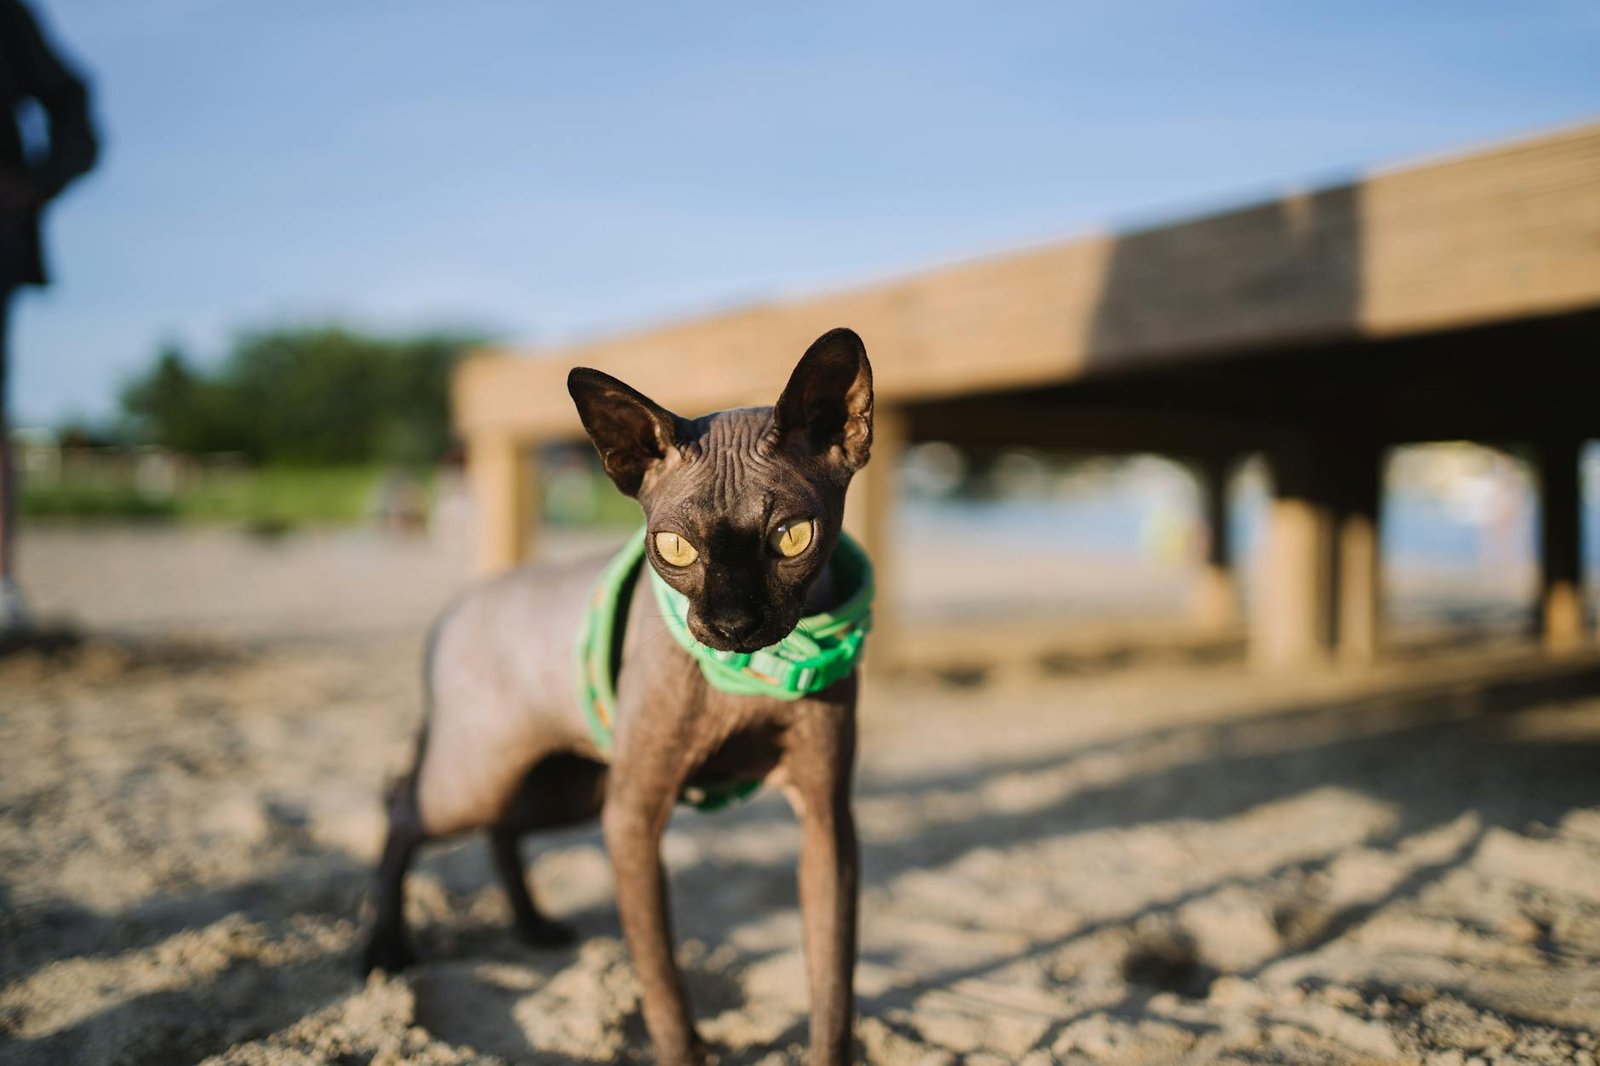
[1460, 529]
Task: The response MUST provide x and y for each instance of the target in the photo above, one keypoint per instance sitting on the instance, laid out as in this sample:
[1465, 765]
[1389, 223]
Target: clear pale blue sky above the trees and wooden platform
[561, 170]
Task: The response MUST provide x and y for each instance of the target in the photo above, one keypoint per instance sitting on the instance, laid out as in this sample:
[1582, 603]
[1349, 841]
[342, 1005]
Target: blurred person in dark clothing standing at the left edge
[31, 177]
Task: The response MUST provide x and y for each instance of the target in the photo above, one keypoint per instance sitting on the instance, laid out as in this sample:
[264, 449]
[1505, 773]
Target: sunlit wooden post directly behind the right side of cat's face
[870, 518]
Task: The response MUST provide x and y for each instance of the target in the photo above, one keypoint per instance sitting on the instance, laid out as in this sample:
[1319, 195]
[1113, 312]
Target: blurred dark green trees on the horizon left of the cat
[321, 396]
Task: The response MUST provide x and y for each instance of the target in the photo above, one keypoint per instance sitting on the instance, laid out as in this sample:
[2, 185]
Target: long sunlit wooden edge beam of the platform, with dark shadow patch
[1487, 238]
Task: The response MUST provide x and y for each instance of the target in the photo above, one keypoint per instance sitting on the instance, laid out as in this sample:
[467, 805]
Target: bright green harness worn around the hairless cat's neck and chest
[818, 654]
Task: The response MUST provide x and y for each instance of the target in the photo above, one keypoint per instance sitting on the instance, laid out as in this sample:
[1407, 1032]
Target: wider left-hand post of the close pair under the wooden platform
[1292, 622]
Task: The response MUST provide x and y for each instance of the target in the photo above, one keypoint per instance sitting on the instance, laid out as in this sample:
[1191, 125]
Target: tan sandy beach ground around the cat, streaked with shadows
[1151, 862]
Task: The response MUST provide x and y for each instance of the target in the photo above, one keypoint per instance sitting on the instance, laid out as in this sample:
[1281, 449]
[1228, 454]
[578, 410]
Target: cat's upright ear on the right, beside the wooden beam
[826, 409]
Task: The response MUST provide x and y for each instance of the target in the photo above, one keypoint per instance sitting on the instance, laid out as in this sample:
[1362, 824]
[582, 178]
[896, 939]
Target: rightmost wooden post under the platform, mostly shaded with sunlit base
[1561, 542]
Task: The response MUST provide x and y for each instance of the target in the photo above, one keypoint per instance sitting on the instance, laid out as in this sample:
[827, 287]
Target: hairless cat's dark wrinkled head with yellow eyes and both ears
[742, 508]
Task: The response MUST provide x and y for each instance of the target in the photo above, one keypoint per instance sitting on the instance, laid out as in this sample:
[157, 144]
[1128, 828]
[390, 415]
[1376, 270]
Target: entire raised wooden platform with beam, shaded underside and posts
[1452, 300]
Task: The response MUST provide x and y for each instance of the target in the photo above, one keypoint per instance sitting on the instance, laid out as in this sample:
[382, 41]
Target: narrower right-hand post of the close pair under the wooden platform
[1358, 566]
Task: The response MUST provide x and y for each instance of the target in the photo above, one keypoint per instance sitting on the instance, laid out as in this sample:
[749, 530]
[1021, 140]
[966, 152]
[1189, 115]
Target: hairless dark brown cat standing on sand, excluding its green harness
[508, 747]
